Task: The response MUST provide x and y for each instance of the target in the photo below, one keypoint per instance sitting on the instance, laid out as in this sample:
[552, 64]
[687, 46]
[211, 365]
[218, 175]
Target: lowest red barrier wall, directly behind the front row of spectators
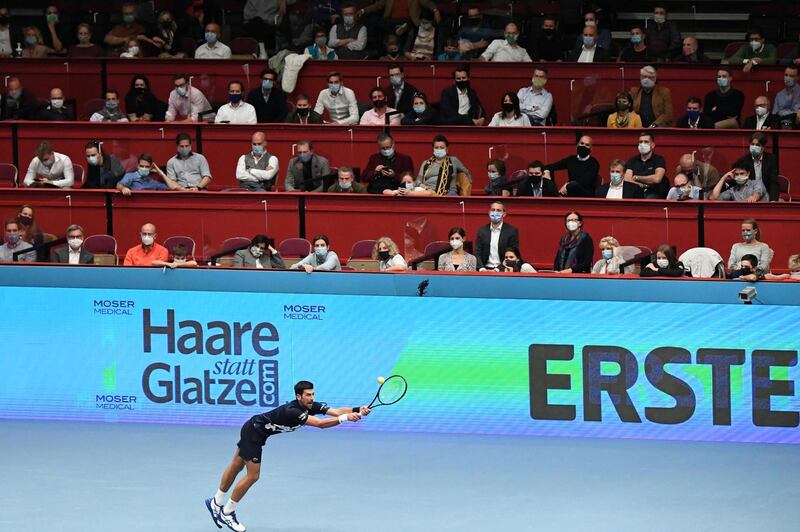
[211, 217]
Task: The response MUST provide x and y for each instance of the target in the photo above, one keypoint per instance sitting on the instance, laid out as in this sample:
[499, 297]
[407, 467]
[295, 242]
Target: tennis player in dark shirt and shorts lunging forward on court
[254, 434]
